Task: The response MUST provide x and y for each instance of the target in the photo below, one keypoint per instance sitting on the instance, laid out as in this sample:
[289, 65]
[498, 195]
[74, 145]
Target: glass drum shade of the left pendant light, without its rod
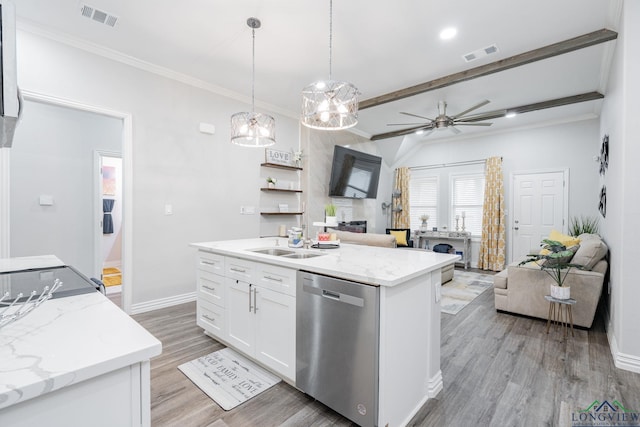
[253, 129]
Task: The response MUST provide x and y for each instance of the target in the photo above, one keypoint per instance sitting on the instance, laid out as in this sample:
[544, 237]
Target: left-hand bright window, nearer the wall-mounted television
[423, 199]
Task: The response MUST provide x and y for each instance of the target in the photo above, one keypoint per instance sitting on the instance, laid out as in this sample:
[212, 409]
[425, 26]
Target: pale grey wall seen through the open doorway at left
[53, 155]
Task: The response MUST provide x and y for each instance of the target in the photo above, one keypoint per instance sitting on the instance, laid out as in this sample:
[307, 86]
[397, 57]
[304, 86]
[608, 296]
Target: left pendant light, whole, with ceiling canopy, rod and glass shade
[253, 129]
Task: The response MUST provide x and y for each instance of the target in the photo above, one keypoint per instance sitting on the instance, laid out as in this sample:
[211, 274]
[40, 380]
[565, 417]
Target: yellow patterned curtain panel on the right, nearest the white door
[492, 245]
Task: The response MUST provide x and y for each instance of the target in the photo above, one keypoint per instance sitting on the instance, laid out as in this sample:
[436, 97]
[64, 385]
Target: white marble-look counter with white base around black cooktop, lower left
[61, 358]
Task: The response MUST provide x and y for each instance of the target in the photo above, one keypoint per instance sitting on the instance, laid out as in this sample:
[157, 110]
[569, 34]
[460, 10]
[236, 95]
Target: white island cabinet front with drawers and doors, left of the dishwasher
[250, 306]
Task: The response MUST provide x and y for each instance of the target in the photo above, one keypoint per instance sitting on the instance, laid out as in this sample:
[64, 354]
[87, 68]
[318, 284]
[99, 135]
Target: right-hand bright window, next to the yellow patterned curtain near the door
[467, 197]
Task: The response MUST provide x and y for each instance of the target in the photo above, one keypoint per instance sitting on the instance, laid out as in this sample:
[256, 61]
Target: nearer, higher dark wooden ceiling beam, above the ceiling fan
[560, 48]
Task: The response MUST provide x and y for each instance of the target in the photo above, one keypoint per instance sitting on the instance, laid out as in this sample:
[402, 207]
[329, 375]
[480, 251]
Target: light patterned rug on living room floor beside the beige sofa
[462, 289]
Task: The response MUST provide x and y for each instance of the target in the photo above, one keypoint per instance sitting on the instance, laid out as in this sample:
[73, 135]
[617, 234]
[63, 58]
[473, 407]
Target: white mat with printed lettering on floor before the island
[228, 378]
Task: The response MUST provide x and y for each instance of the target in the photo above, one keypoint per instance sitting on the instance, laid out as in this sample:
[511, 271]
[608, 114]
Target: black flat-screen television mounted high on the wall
[354, 174]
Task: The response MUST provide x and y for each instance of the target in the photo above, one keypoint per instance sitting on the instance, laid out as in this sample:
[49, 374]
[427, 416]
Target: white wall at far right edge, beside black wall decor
[620, 121]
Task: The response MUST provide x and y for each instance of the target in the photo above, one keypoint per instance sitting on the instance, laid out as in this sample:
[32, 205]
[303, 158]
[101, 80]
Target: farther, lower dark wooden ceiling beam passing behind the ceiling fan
[496, 114]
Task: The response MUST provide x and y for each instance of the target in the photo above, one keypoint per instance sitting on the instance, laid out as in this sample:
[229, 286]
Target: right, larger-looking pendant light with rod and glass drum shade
[330, 104]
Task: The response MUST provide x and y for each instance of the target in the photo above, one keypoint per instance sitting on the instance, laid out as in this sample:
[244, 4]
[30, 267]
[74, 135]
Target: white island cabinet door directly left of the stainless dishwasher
[276, 331]
